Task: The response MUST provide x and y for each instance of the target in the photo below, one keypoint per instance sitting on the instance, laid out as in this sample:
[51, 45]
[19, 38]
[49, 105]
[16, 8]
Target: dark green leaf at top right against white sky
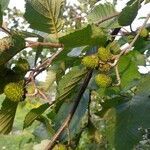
[129, 13]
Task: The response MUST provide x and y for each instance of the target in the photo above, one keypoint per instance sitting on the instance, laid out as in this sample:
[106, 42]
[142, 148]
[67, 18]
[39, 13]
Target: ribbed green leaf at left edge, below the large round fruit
[7, 115]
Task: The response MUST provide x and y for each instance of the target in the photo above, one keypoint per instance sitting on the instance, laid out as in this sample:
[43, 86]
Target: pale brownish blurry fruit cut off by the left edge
[5, 43]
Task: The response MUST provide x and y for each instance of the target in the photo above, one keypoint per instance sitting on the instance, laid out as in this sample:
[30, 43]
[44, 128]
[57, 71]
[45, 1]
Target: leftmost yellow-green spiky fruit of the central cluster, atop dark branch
[91, 61]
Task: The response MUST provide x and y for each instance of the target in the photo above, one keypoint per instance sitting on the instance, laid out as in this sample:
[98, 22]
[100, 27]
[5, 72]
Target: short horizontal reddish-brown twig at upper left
[45, 44]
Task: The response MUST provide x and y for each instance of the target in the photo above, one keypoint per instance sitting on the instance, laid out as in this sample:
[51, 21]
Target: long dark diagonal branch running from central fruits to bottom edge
[70, 115]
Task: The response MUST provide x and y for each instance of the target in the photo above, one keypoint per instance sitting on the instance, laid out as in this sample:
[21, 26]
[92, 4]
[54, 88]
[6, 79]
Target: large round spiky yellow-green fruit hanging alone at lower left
[14, 91]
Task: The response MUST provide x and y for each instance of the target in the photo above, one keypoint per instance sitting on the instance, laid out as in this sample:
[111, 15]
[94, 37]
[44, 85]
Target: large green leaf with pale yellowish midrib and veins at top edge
[44, 15]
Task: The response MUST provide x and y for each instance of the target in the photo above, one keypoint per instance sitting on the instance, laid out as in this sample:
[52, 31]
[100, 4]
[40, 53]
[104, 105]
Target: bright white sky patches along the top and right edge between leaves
[120, 5]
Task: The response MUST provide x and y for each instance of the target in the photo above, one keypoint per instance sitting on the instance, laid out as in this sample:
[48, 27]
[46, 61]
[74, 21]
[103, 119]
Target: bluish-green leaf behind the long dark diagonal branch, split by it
[76, 123]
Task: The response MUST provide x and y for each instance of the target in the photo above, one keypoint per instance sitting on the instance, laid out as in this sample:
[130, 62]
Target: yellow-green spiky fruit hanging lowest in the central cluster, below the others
[103, 80]
